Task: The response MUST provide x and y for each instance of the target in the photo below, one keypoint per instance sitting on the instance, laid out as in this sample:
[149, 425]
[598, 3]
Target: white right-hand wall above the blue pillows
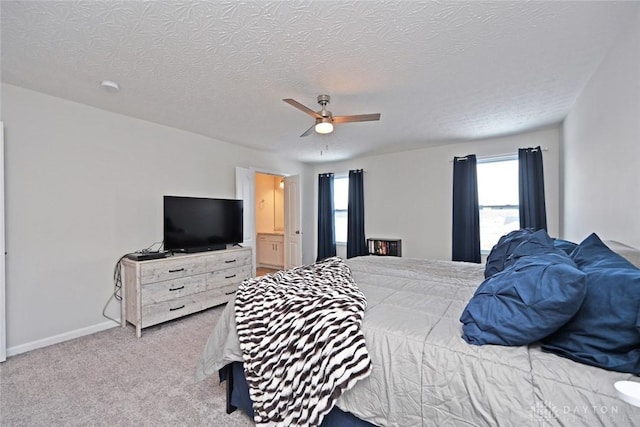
[602, 148]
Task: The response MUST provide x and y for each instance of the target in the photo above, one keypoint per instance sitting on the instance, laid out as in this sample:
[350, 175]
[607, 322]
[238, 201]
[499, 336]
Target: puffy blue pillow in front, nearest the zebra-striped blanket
[525, 302]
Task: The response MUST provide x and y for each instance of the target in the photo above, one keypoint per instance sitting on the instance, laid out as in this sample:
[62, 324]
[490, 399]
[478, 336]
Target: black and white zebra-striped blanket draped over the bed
[299, 332]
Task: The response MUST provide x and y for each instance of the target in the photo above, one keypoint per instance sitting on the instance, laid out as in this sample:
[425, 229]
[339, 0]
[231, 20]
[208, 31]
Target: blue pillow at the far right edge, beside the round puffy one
[605, 332]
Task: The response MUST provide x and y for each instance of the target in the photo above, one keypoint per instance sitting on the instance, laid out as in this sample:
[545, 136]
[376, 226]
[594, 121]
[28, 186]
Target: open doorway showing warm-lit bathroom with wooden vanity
[270, 223]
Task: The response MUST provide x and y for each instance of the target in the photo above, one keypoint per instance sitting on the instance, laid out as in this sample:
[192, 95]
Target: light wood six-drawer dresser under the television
[164, 289]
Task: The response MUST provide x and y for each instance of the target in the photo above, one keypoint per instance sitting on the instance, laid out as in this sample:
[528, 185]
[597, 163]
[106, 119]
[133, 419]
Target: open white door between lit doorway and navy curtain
[292, 229]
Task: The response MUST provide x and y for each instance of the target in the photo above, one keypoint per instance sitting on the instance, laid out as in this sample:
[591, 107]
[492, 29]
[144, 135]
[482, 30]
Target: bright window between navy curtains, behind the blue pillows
[498, 199]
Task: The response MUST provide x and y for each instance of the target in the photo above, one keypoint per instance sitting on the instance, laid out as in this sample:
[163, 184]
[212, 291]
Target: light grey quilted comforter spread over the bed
[423, 371]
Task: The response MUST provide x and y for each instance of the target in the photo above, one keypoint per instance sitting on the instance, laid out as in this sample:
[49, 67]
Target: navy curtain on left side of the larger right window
[466, 216]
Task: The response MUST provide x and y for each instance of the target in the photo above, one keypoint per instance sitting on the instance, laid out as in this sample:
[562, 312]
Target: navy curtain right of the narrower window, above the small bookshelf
[356, 240]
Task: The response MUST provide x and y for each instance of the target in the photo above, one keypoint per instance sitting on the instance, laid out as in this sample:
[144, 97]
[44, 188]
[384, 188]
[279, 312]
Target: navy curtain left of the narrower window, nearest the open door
[326, 228]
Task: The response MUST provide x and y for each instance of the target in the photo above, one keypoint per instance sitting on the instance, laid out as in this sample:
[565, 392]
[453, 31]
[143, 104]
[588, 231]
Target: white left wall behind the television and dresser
[83, 187]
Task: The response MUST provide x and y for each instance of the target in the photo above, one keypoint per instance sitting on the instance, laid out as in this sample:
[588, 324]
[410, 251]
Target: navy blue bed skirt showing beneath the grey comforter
[238, 397]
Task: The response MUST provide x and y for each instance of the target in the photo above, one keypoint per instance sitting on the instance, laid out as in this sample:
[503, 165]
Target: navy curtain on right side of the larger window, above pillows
[533, 213]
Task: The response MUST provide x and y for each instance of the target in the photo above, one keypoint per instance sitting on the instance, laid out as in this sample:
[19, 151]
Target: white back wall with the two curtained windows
[408, 195]
